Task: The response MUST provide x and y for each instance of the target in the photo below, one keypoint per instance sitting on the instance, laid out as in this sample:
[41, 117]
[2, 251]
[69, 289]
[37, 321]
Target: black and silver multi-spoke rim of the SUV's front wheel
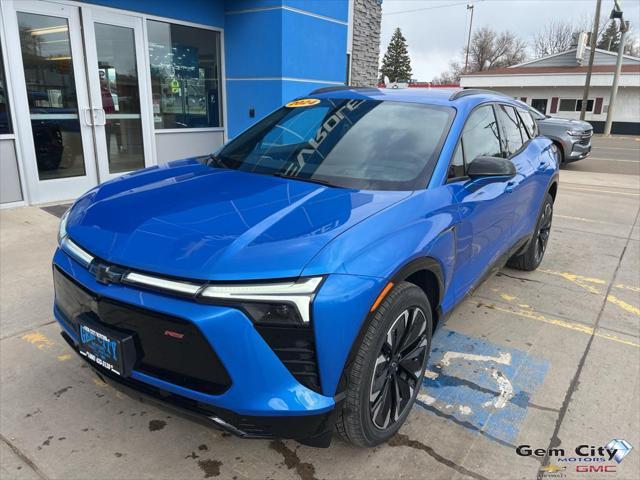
[398, 368]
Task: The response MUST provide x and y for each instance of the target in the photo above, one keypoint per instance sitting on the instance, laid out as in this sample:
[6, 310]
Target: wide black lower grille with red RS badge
[189, 361]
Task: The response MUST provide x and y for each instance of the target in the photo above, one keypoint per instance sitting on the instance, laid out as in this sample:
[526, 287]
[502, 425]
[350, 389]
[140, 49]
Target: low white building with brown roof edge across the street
[554, 85]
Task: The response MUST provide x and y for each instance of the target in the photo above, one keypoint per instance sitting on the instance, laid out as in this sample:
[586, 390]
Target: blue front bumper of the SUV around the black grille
[262, 398]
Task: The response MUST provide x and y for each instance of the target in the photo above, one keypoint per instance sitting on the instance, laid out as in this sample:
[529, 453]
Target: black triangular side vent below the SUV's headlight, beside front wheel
[295, 347]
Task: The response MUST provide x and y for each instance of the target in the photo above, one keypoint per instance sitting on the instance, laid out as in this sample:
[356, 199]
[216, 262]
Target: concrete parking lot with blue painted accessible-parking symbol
[546, 359]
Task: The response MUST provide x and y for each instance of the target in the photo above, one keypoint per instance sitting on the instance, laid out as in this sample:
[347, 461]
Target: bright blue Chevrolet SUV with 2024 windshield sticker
[291, 282]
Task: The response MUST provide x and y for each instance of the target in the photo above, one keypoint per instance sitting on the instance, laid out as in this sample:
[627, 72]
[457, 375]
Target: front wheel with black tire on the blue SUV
[363, 420]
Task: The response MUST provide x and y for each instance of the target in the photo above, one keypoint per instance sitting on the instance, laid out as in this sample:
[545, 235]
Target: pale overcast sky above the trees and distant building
[436, 36]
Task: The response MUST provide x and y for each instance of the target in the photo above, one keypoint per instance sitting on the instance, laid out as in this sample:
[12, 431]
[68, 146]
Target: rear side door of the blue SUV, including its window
[522, 190]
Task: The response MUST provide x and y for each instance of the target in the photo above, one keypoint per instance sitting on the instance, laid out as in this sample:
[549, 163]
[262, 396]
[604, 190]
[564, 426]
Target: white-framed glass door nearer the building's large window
[115, 68]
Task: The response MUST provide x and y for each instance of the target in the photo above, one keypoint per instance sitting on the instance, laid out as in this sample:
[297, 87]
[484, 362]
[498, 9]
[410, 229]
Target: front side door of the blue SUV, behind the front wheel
[485, 207]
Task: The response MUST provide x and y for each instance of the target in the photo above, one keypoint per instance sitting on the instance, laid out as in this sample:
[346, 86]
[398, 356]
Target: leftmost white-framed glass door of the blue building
[52, 108]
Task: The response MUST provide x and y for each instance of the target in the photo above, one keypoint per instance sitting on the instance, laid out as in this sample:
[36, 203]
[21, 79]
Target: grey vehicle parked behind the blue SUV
[572, 137]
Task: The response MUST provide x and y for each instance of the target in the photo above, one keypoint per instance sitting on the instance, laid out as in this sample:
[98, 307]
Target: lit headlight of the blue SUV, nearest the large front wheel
[277, 303]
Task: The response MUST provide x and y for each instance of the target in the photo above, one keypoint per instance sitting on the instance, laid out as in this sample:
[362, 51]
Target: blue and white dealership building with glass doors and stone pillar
[94, 89]
